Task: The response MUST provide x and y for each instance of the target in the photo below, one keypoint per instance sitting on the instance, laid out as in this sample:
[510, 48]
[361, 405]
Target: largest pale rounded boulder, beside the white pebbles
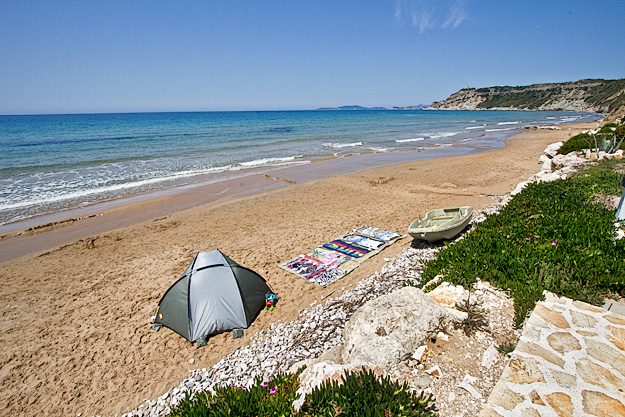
[408, 316]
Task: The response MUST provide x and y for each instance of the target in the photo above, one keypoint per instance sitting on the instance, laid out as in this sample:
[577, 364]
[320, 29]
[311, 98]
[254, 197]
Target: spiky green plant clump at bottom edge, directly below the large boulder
[362, 394]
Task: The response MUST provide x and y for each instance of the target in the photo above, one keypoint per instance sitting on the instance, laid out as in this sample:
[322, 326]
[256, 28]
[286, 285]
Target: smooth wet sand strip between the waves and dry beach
[20, 239]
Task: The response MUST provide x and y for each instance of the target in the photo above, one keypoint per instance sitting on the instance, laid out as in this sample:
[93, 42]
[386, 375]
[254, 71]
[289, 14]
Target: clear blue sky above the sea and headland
[86, 56]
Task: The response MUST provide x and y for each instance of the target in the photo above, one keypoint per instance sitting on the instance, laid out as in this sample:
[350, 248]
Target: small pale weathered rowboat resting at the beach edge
[441, 224]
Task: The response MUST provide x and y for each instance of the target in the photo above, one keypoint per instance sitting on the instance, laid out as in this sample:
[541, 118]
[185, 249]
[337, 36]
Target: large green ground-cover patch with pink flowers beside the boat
[551, 236]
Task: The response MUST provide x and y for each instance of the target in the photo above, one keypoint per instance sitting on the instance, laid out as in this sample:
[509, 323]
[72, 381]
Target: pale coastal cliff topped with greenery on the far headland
[592, 95]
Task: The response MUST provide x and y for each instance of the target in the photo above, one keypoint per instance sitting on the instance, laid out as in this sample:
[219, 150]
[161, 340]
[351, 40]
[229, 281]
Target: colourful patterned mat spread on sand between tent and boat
[333, 260]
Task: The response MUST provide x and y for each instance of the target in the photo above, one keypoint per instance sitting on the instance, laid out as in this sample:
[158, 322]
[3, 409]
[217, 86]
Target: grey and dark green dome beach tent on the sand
[213, 295]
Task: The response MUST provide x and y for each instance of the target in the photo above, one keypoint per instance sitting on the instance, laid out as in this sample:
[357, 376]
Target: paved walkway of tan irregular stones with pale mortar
[570, 361]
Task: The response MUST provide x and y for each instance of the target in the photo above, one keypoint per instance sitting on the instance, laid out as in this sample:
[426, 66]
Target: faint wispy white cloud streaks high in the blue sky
[428, 14]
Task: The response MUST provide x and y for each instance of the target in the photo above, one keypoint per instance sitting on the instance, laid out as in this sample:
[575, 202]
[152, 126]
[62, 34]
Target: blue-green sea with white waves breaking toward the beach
[55, 163]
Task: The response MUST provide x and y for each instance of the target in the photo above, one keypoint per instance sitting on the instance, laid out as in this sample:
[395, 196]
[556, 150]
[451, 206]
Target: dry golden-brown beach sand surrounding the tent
[75, 330]
